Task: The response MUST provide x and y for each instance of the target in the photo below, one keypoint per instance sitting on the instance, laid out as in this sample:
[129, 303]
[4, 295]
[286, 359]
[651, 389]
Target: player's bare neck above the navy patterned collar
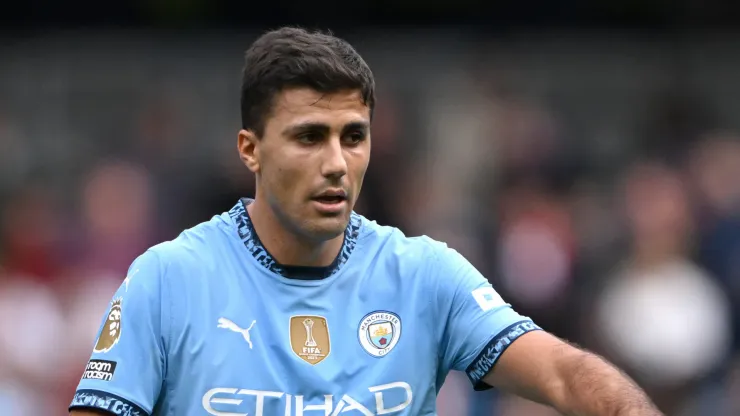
[287, 247]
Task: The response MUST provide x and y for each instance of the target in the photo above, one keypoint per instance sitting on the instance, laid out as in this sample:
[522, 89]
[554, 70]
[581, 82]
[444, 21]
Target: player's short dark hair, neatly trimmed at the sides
[293, 57]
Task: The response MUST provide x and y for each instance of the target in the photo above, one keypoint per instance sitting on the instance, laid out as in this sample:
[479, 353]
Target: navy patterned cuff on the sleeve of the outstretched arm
[490, 354]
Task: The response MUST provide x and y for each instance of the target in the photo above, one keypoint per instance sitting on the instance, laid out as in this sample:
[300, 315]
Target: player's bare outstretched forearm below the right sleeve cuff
[540, 367]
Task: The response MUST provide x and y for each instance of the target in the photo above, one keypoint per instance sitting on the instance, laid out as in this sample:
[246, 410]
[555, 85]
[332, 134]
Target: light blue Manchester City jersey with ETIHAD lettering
[211, 324]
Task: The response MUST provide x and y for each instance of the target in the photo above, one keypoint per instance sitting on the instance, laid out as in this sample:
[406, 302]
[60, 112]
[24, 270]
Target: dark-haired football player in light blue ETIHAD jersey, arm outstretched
[291, 304]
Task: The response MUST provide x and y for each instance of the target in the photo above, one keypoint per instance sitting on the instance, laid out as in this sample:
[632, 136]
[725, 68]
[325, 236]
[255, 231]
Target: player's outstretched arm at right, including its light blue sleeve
[495, 346]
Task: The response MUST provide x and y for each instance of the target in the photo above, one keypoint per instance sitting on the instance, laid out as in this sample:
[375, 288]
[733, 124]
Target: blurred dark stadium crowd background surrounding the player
[586, 158]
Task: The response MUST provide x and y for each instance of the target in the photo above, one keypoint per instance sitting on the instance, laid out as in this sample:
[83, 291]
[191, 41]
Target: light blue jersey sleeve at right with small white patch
[478, 324]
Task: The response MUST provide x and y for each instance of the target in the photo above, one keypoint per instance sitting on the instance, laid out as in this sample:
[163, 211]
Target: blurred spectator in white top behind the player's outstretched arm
[663, 317]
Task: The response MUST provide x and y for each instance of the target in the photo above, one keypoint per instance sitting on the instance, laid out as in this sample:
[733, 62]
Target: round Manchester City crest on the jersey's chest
[379, 332]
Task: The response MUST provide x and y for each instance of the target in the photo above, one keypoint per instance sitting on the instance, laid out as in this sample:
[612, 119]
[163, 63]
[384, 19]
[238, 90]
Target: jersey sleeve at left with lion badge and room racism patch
[126, 370]
